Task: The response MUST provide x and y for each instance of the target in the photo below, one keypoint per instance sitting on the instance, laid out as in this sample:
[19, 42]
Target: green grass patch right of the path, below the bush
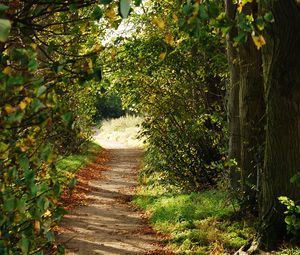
[197, 223]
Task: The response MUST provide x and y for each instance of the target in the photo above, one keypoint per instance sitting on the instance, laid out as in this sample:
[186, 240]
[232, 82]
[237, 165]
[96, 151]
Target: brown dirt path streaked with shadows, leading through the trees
[109, 225]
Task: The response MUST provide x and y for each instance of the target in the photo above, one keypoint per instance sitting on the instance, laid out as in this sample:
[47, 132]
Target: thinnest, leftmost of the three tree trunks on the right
[233, 100]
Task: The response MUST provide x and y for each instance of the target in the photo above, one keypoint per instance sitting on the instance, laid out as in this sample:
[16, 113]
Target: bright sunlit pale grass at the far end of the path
[124, 130]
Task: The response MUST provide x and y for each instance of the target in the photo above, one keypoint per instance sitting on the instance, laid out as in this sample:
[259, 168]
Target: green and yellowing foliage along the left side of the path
[45, 65]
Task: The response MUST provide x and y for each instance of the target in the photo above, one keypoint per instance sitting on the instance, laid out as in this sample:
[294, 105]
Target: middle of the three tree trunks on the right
[252, 110]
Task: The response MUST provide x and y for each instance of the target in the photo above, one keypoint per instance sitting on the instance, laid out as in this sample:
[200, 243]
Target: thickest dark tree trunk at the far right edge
[281, 62]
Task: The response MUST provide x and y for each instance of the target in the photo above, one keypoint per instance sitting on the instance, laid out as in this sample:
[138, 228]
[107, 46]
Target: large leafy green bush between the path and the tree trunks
[178, 83]
